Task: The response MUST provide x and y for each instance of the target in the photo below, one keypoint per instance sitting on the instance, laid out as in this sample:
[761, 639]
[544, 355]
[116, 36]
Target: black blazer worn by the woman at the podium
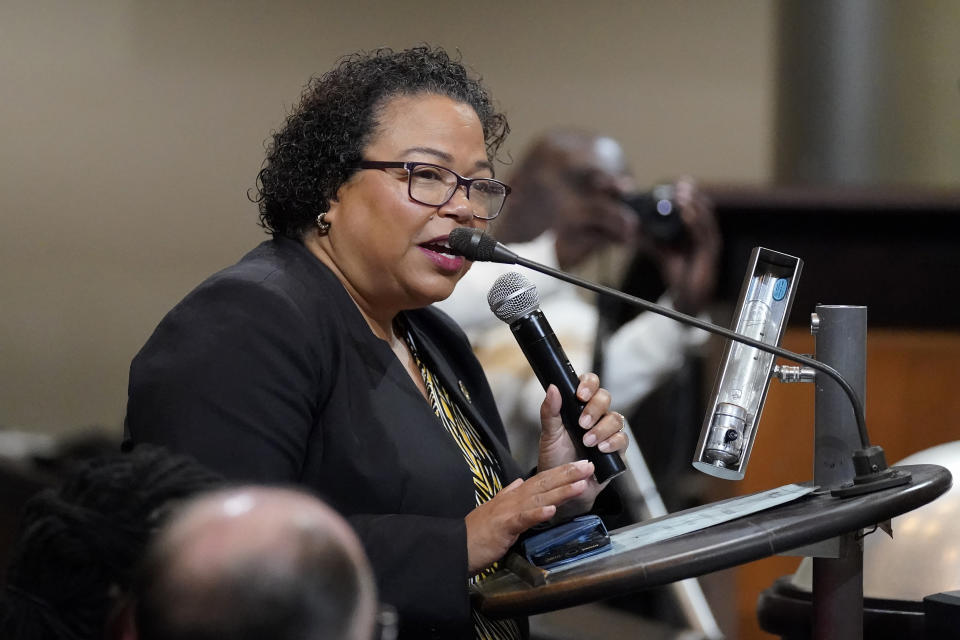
[267, 372]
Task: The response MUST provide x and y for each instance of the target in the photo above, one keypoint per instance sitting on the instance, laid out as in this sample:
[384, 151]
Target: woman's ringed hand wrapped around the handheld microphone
[602, 429]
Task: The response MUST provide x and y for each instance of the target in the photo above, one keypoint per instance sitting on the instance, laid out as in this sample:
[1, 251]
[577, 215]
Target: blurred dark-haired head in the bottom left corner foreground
[80, 543]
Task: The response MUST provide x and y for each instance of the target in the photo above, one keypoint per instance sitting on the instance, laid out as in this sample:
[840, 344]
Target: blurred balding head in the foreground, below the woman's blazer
[255, 562]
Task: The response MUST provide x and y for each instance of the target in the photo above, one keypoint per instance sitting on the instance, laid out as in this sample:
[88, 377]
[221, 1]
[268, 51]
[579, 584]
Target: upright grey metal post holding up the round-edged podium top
[841, 339]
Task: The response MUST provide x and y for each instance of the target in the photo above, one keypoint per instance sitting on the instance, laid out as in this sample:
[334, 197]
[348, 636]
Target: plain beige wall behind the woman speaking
[131, 131]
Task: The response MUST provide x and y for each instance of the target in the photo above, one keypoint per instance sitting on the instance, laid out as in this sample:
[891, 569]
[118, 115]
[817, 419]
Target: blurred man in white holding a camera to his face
[576, 206]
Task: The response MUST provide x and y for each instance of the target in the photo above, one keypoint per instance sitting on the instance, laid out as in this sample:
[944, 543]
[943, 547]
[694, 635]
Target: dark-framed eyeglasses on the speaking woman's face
[433, 185]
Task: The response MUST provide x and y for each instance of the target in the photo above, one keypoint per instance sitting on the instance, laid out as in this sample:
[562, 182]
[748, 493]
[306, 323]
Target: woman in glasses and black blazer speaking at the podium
[318, 360]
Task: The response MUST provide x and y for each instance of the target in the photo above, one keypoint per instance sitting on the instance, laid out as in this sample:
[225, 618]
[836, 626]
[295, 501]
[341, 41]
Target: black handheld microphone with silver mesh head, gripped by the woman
[515, 300]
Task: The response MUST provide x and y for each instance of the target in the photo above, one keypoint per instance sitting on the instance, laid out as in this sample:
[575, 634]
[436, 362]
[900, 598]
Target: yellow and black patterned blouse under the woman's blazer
[487, 479]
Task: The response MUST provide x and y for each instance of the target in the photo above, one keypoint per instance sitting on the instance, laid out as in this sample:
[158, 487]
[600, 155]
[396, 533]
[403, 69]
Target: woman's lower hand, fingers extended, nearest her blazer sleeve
[494, 526]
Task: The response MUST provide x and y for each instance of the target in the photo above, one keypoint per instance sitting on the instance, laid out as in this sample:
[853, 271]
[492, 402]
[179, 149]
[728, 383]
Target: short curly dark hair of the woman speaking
[312, 155]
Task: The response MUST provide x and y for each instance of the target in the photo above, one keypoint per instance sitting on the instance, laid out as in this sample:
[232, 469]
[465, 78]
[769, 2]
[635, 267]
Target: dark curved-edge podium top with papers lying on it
[807, 520]
